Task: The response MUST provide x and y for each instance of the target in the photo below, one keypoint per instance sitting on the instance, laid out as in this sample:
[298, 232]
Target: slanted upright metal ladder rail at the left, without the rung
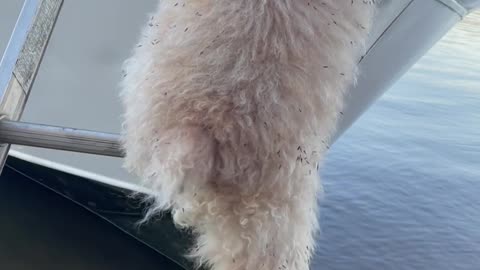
[22, 57]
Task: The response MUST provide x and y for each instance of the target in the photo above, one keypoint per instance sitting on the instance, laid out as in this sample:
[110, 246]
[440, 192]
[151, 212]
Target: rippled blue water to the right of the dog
[402, 187]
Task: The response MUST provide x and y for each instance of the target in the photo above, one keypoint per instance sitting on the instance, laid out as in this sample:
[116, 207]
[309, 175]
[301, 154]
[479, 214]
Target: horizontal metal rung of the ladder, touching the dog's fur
[60, 138]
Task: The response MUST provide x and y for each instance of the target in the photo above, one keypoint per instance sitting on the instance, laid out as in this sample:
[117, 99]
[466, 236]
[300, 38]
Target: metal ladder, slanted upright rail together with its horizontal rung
[18, 69]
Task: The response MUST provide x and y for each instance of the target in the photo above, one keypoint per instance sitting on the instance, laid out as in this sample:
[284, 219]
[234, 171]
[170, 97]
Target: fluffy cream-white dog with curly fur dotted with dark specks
[229, 107]
